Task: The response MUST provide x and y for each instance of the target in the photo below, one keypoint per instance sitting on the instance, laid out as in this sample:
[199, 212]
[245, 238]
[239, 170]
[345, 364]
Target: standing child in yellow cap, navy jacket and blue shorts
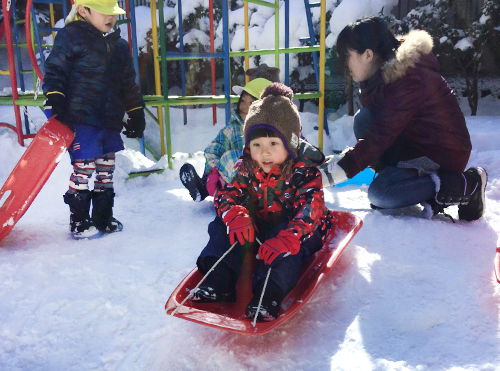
[90, 84]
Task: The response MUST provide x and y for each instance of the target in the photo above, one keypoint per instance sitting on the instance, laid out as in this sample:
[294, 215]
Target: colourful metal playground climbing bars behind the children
[161, 101]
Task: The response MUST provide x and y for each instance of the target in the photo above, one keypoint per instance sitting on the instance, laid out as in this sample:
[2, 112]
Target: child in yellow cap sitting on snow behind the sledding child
[221, 155]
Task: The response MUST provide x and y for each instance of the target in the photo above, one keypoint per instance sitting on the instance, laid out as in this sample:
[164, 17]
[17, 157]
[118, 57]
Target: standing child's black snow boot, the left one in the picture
[81, 226]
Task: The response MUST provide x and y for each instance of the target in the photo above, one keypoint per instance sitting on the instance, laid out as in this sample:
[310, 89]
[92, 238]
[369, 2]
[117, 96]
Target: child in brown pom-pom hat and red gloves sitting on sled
[277, 197]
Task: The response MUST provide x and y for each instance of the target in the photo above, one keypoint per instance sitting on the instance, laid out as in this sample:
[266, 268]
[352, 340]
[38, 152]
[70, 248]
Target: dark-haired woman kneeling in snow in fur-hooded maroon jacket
[410, 128]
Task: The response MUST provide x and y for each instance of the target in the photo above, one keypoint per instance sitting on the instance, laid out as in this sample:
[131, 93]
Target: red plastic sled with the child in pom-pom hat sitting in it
[230, 316]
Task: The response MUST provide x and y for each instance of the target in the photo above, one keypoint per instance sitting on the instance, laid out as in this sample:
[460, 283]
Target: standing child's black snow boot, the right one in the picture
[102, 211]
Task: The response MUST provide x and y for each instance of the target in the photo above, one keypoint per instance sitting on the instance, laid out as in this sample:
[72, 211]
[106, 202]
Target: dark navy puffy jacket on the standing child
[95, 73]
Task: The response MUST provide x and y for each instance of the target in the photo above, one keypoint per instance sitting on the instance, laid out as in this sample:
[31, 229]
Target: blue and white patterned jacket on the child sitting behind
[226, 148]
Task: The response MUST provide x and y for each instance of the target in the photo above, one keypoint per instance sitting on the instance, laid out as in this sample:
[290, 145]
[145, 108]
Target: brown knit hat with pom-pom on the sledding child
[275, 111]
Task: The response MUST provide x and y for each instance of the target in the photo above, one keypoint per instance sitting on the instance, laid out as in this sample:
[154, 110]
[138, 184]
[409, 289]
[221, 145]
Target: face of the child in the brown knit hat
[267, 152]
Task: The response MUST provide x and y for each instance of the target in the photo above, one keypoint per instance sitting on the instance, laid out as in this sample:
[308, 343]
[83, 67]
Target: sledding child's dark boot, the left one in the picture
[220, 286]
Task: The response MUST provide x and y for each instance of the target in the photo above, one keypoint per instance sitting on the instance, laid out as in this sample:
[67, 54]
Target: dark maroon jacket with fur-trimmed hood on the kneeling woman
[416, 113]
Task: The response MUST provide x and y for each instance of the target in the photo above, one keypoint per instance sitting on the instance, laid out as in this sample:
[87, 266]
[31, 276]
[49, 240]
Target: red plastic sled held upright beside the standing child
[31, 172]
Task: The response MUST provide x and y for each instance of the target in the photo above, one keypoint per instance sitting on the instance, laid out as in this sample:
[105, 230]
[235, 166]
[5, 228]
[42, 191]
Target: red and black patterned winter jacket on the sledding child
[269, 198]
